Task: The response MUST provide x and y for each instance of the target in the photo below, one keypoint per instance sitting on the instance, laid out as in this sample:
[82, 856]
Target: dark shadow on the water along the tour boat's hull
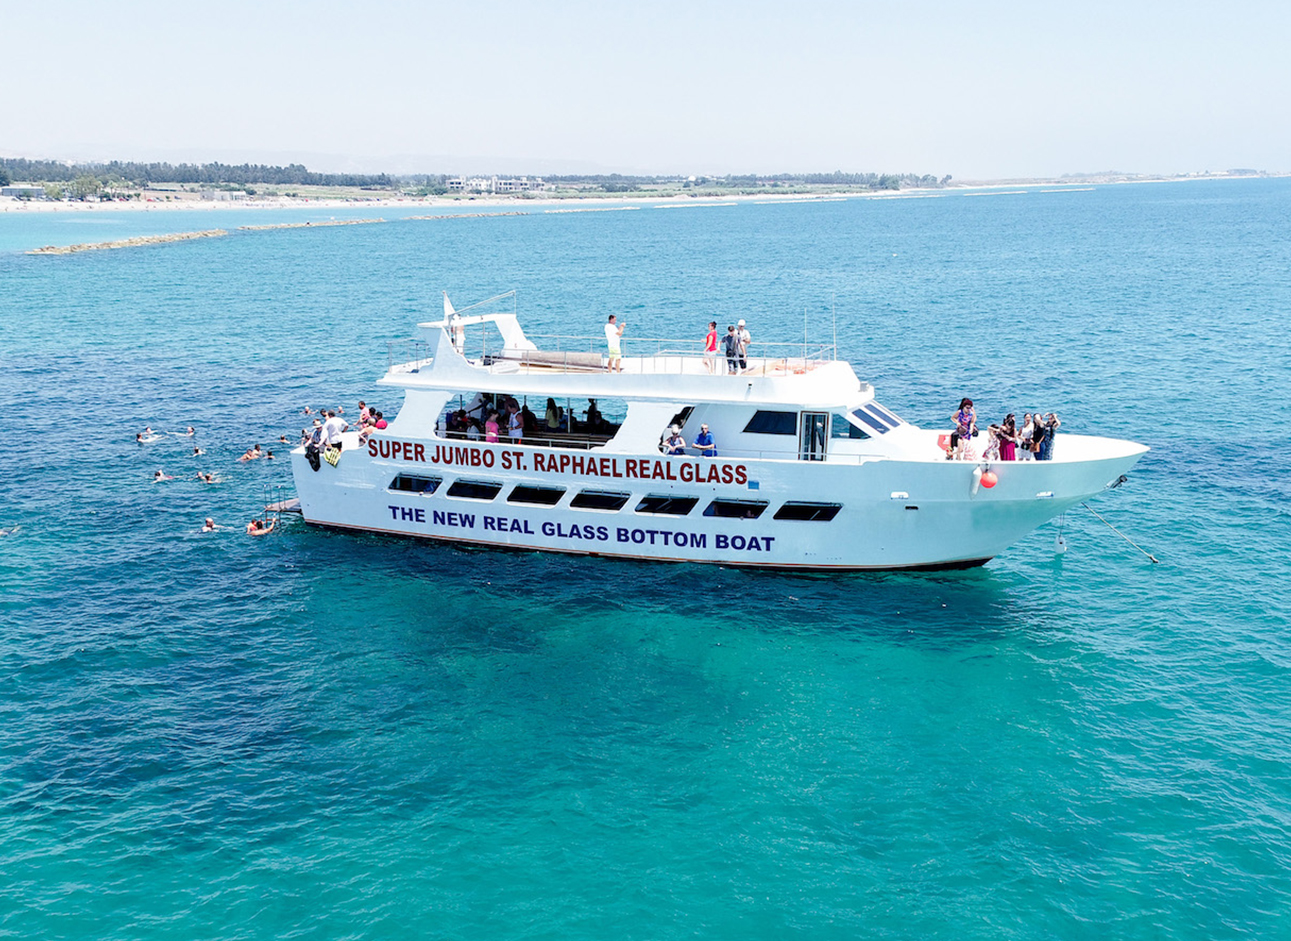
[533, 588]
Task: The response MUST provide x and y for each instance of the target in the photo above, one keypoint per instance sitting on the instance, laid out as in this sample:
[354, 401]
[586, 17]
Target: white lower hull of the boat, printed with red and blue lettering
[891, 514]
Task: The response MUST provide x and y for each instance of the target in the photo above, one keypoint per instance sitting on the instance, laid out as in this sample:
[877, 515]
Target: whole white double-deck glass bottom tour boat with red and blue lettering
[808, 470]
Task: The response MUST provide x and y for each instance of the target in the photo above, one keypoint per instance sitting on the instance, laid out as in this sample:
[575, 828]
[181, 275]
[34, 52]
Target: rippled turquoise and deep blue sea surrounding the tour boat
[338, 736]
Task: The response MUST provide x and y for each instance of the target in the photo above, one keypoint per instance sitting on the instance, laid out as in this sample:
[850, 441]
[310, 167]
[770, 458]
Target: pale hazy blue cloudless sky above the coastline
[987, 90]
